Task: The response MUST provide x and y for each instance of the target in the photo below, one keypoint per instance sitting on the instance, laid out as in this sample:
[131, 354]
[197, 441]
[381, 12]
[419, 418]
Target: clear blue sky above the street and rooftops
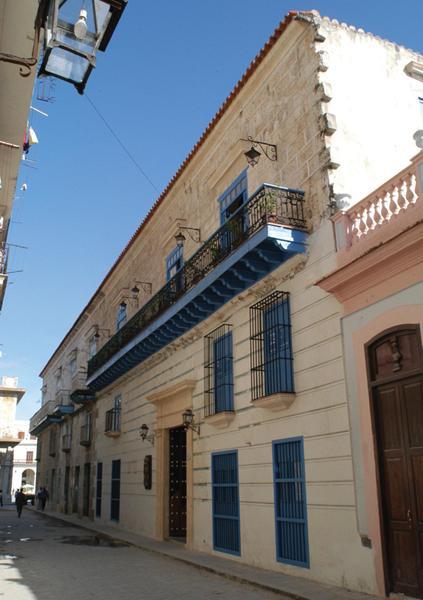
[167, 70]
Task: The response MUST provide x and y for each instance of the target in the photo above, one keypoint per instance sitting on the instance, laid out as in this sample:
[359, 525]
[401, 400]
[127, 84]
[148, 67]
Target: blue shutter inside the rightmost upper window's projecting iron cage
[277, 349]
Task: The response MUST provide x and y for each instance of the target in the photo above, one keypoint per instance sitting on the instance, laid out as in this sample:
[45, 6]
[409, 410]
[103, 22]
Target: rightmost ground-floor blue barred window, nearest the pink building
[290, 502]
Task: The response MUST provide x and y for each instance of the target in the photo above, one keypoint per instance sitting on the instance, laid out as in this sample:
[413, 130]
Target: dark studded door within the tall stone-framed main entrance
[177, 482]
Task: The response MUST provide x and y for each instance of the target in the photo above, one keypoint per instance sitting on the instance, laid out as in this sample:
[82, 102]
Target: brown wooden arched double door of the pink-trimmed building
[396, 376]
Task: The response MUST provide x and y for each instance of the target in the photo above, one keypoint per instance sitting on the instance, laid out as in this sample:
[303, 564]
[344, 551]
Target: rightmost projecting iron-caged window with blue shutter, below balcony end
[271, 348]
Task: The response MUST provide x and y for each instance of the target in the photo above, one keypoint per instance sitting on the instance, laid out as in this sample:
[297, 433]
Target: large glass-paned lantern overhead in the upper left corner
[74, 31]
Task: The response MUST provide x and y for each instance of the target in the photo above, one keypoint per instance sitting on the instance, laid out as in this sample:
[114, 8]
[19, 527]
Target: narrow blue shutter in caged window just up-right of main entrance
[223, 384]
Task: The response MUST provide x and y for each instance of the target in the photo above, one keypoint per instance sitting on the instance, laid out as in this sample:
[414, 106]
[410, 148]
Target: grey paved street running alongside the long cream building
[44, 559]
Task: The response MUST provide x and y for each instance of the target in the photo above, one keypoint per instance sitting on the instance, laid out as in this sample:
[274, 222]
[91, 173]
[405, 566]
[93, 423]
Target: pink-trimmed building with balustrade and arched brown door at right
[378, 281]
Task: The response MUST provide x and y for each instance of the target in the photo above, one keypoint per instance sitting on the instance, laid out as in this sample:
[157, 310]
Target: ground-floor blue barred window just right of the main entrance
[225, 492]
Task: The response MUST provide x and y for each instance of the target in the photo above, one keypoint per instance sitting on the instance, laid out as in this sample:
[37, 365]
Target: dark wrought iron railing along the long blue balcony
[269, 205]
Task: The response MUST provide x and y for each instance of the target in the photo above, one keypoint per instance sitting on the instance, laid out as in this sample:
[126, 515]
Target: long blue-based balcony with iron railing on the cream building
[265, 232]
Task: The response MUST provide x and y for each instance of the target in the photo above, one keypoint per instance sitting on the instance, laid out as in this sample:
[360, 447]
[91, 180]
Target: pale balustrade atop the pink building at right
[394, 206]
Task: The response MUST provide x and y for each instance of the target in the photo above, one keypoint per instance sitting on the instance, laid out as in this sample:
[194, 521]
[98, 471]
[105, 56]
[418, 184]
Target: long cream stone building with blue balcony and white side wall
[212, 366]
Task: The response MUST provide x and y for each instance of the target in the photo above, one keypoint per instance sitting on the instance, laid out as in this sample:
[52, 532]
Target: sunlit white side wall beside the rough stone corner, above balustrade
[376, 108]
